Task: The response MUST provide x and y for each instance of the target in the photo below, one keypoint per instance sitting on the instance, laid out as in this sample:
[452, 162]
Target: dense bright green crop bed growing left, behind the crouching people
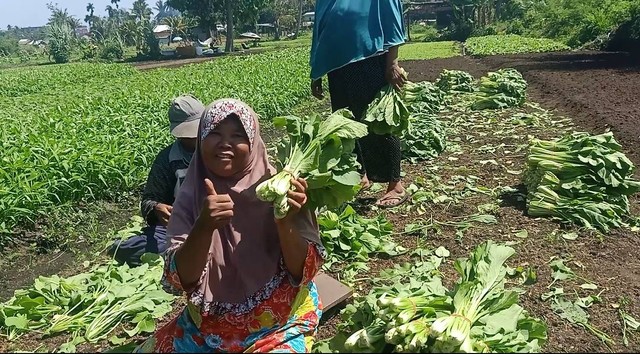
[97, 136]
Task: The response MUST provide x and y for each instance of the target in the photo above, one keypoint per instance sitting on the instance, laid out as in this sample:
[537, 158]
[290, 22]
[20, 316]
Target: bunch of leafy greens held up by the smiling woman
[321, 151]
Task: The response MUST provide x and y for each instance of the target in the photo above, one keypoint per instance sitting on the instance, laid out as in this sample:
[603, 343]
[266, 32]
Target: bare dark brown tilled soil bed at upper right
[597, 90]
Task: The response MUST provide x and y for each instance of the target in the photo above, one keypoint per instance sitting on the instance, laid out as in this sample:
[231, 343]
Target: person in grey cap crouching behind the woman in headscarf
[166, 175]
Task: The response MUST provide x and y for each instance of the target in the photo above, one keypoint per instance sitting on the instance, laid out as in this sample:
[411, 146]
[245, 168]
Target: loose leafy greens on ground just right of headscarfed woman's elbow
[350, 238]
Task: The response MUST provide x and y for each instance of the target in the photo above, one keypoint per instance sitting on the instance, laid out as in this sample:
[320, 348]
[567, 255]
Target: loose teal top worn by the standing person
[346, 31]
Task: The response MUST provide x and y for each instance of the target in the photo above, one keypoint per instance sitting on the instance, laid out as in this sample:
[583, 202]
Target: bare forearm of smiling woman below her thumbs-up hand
[191, 258]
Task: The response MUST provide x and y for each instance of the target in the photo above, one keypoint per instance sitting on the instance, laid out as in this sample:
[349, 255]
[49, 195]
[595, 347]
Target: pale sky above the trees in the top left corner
[31, 13]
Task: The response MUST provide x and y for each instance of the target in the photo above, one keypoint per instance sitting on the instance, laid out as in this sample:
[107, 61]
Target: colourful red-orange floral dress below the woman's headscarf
[282, 317]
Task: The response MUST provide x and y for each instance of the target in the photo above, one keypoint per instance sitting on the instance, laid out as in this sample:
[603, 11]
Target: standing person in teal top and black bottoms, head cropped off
[355, 43]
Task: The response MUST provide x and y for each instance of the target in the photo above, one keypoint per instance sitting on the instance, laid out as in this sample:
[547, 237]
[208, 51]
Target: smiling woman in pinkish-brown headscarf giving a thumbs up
[248, 277]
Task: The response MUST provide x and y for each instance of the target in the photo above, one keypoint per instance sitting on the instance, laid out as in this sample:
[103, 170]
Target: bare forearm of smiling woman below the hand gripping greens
[294, 249]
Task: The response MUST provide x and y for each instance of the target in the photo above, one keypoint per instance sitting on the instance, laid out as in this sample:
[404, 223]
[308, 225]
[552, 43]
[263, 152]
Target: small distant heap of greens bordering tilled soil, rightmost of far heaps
[501, 89]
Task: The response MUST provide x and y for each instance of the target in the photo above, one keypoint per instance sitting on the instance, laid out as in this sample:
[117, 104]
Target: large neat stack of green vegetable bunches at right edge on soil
[580, 178]
